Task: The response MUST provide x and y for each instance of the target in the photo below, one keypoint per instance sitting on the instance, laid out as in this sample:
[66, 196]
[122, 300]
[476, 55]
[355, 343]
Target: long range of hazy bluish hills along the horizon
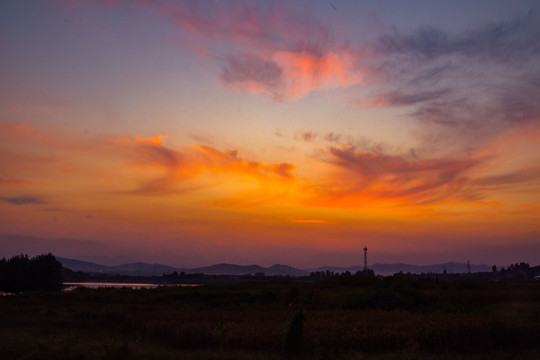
[143, 269]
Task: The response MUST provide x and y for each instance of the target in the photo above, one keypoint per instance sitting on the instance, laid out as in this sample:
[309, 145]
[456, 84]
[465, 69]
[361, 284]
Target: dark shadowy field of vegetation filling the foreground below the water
[345, 317]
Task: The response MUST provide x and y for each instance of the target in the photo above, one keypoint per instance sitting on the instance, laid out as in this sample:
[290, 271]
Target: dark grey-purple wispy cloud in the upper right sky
[468, 86]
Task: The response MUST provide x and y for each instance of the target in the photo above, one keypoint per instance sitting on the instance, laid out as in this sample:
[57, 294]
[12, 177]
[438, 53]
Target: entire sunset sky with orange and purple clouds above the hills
[296, 132]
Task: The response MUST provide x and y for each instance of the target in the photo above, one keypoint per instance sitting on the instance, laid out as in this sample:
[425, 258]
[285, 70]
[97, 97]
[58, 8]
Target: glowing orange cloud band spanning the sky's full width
[207, 177]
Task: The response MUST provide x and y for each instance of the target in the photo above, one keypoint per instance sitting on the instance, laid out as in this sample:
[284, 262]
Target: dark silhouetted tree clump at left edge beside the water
[20, 273]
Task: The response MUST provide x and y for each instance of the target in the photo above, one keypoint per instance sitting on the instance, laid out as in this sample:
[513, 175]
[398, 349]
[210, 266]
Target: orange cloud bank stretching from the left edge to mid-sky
[139, 166]
